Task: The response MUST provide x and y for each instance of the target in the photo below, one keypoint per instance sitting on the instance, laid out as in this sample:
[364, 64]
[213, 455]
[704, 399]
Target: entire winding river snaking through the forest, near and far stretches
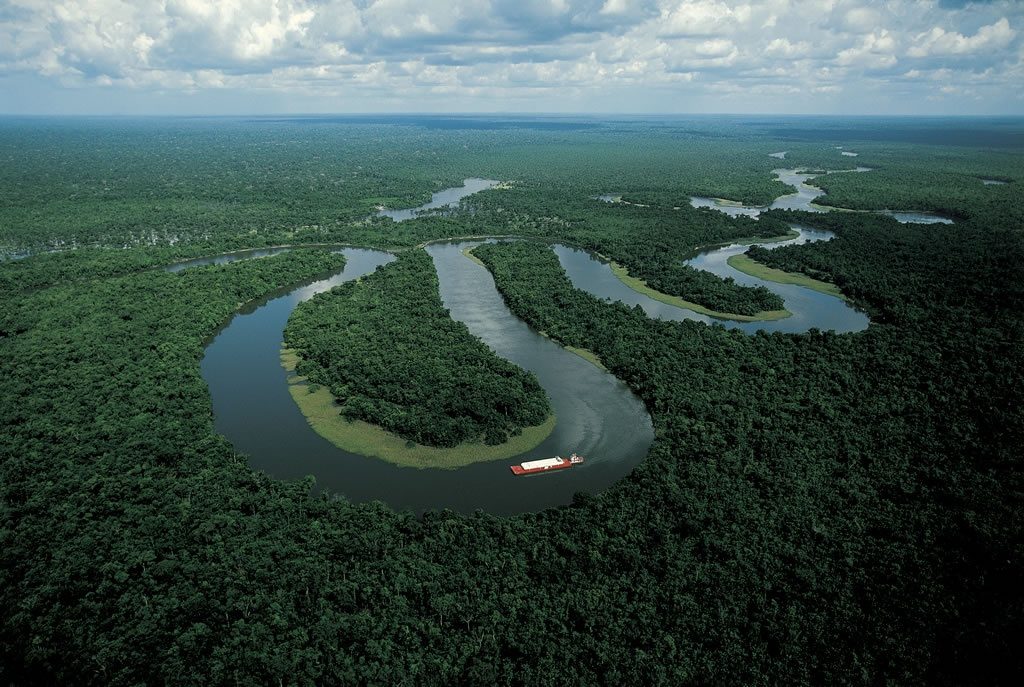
[598, 415]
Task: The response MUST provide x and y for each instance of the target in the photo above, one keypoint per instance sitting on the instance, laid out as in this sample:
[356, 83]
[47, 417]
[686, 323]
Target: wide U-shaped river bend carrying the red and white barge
[598, 415]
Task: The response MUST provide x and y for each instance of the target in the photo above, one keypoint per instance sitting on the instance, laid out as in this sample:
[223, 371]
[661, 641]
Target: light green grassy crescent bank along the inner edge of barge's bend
[318, 405]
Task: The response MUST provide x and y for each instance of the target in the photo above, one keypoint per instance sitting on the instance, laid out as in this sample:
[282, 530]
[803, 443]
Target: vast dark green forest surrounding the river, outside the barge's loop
[817, 508]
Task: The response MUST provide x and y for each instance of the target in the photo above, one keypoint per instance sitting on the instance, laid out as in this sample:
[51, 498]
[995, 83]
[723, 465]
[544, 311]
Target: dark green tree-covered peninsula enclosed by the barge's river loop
[392, 356]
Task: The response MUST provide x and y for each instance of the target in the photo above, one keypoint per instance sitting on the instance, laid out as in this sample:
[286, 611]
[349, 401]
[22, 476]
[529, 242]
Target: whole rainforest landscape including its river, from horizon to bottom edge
[797, 381]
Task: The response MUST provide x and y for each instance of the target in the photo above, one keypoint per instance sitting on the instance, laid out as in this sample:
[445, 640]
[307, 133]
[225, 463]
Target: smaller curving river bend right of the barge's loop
[809, 309]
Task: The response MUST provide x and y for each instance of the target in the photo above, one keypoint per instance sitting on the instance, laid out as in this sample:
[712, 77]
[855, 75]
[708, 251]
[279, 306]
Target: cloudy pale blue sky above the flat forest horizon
[249, 57]
